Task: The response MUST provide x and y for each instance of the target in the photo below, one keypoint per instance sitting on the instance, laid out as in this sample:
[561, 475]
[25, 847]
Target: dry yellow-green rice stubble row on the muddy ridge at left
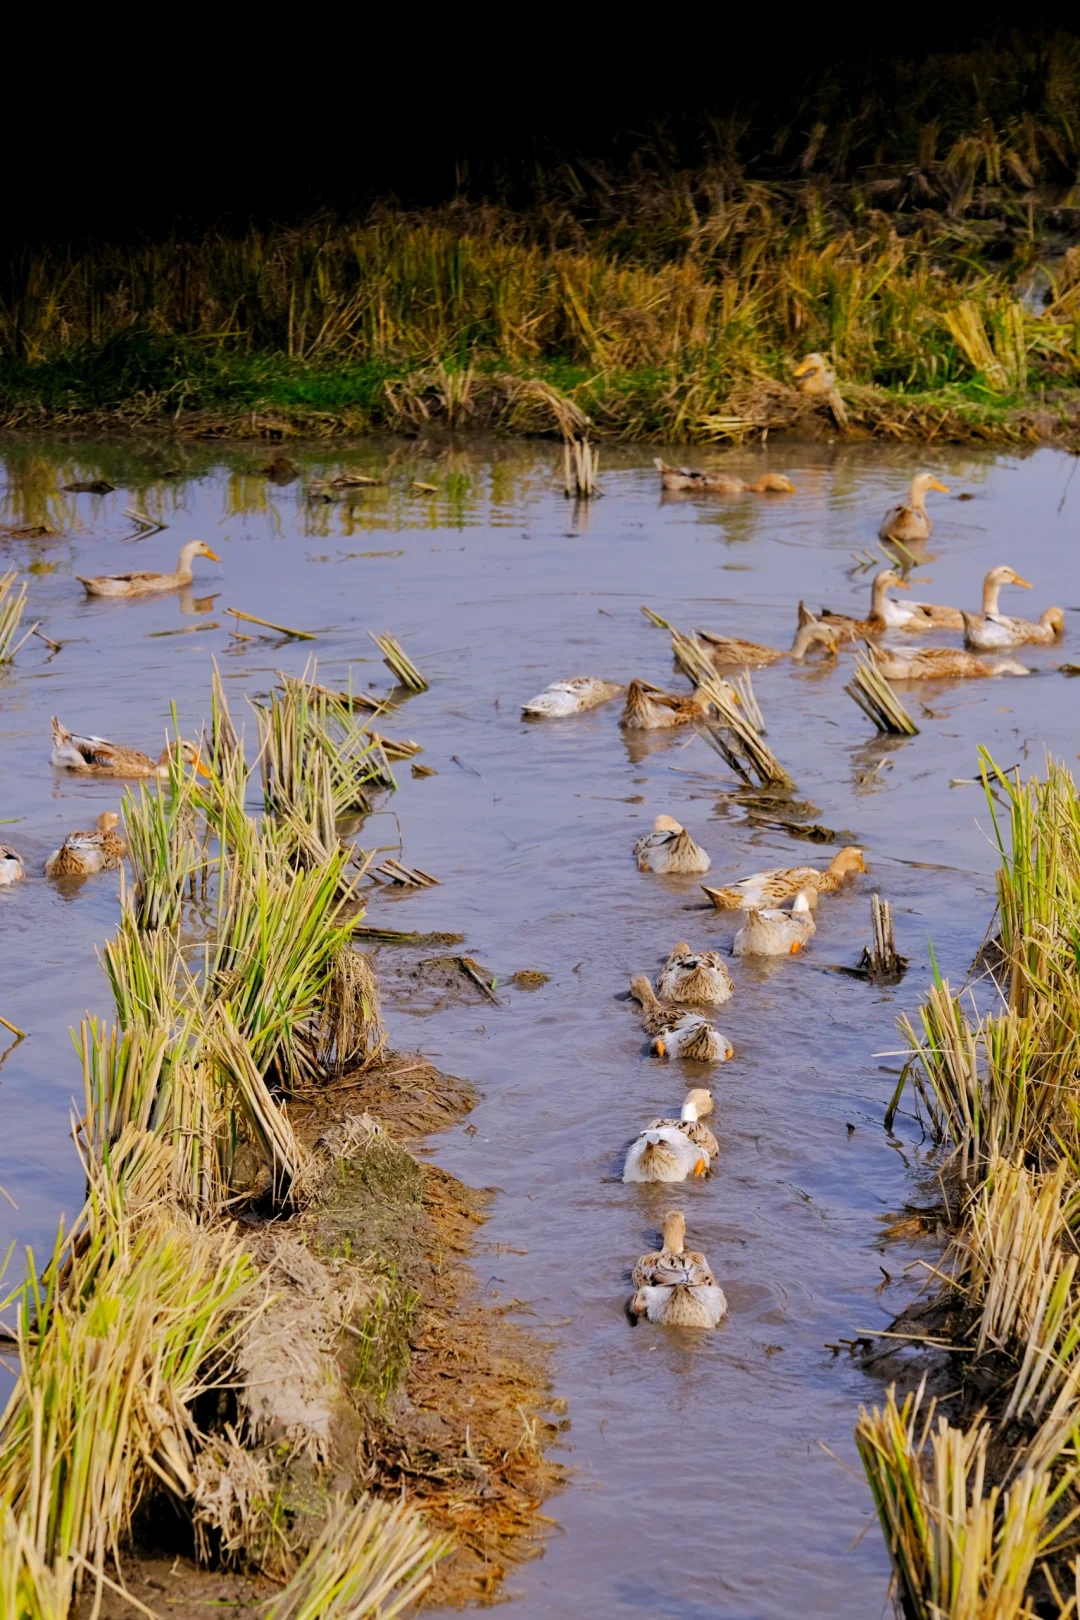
[150, 1303]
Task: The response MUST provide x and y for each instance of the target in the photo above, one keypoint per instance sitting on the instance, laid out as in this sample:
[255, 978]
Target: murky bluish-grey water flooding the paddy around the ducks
[704, 1483]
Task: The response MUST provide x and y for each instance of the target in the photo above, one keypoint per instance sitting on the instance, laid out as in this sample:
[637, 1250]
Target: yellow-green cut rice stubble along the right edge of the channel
[979, 1496]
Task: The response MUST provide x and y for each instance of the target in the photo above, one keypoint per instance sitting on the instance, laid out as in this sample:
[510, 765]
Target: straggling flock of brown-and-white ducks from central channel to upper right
[775, 908]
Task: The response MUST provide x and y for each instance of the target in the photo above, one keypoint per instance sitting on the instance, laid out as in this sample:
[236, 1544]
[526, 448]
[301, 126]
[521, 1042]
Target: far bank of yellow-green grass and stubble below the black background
[919, 229]
